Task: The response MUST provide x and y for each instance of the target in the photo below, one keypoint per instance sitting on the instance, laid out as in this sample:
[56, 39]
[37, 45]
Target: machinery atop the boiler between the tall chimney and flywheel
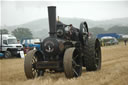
[67, 32]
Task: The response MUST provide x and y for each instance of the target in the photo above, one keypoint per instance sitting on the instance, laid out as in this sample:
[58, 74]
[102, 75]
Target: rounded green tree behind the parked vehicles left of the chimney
[21, 33]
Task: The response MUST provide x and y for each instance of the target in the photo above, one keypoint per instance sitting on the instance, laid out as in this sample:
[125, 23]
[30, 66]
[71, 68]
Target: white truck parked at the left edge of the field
[9, 46]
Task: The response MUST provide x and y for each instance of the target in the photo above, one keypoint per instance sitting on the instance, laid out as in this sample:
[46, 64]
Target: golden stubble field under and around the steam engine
[114, 71]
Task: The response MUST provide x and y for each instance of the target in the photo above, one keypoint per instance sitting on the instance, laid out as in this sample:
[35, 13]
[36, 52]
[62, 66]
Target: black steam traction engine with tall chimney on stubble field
[67, 49]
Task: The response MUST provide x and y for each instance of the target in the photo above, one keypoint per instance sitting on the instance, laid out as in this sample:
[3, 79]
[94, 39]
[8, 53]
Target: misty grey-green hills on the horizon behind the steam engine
[40, 27]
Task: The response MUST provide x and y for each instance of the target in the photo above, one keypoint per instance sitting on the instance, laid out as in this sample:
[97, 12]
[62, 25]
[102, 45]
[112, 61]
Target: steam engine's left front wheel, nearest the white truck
[30, 65]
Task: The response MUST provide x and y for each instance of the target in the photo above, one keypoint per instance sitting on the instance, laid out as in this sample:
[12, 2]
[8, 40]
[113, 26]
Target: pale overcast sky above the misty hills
[15, 12]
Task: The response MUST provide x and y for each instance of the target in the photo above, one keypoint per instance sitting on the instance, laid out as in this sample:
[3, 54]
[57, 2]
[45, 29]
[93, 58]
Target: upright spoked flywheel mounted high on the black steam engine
[83, 34]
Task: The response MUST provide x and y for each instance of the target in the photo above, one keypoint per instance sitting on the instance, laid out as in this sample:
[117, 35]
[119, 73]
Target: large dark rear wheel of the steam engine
[93, 55]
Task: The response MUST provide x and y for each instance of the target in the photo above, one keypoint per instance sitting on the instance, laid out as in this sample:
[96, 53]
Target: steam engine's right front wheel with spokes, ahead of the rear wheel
[72, 63]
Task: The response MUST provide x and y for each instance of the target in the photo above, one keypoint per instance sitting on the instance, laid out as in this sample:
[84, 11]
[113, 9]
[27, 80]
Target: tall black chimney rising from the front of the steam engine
[52, 20]
